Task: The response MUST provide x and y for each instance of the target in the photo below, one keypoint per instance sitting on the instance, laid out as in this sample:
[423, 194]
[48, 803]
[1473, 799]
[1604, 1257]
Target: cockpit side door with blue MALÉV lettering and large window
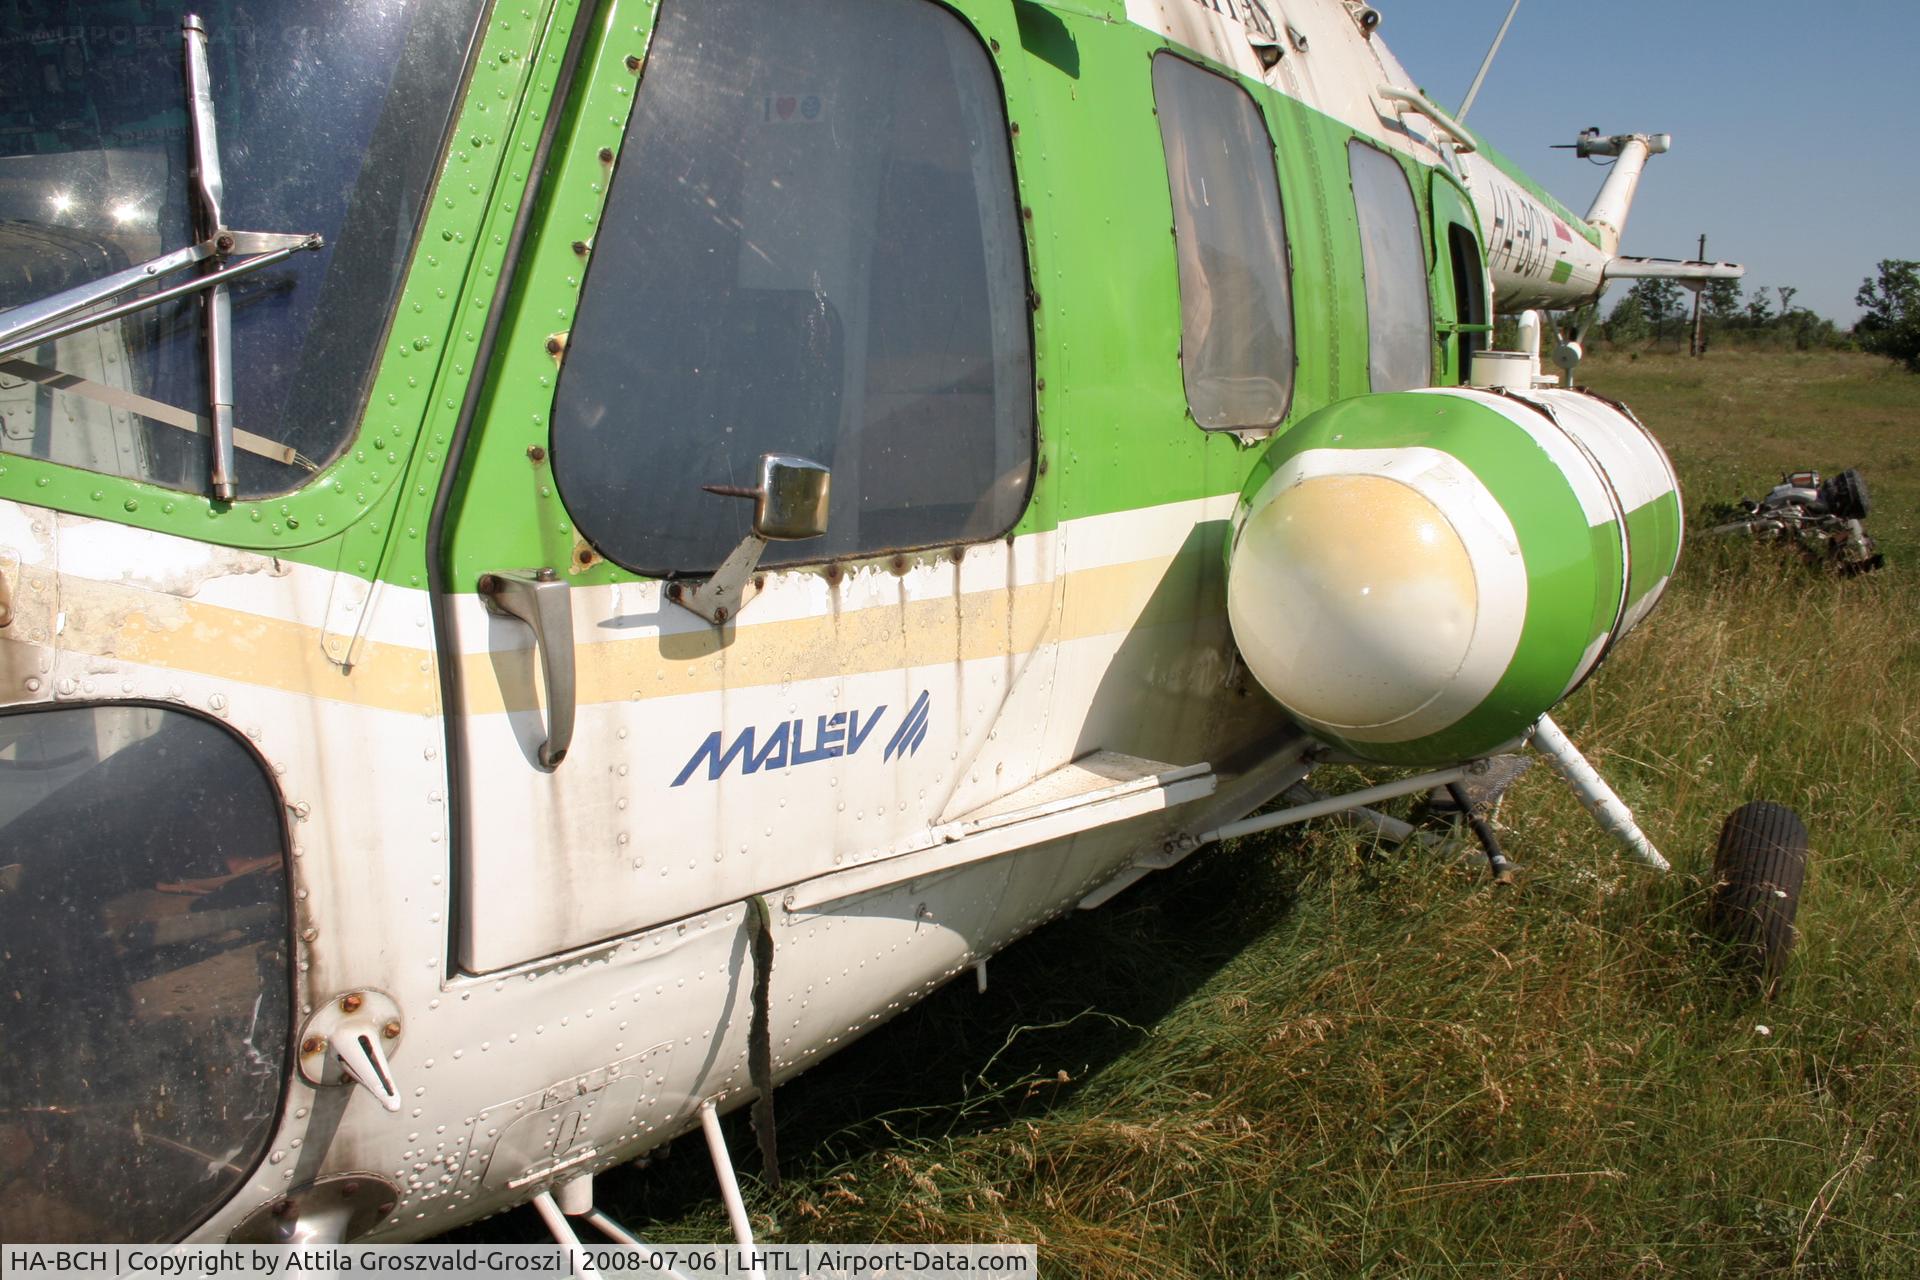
[800, 237]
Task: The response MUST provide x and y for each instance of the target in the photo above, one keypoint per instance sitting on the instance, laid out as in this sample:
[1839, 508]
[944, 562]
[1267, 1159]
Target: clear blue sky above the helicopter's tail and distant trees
[1792, 122]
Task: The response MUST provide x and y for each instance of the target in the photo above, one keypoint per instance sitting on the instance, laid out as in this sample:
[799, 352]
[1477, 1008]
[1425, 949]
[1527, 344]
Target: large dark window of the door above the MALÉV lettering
[811, 247]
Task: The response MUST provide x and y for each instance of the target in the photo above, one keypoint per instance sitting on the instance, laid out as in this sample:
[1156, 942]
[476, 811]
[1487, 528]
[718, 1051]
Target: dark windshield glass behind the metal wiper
[331, 120]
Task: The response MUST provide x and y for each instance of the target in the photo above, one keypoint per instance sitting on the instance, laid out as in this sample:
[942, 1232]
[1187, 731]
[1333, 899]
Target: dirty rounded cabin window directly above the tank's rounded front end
[1237, 316]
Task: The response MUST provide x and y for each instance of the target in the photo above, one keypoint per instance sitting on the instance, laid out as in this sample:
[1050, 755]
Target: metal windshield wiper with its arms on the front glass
[222, 254]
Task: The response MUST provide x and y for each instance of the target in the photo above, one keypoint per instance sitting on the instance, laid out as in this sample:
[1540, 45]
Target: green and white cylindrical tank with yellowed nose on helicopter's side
[1418, 577]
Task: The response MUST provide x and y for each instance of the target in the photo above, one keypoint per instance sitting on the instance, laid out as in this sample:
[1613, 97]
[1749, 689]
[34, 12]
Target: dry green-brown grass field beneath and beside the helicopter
[1308, 1056]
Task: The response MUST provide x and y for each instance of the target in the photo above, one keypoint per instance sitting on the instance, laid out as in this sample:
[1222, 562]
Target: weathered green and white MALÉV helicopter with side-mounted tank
[562, 561]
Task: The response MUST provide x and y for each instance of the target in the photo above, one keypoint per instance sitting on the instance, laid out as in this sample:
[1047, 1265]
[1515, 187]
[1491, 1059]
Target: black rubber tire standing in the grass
[1758, 878]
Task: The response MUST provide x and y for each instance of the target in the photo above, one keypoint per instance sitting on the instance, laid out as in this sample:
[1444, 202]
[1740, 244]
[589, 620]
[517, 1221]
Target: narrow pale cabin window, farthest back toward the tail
[1401, 329]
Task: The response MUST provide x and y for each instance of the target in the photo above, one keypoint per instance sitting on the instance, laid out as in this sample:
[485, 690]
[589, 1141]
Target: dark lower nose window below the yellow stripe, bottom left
[145, 989]
